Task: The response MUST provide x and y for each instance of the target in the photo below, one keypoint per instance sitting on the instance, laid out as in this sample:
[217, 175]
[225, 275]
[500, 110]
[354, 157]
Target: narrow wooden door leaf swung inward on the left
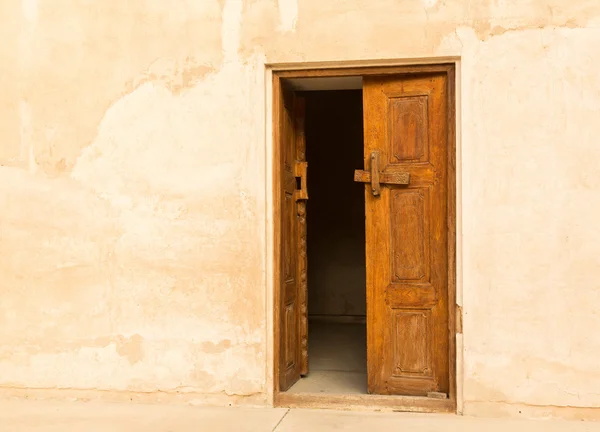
[293, 314]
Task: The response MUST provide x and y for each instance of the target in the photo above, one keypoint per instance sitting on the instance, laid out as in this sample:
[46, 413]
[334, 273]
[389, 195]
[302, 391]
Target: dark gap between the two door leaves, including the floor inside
[335, 244]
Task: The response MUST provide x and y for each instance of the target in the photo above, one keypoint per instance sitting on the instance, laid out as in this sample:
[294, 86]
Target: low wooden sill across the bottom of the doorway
[365, 402]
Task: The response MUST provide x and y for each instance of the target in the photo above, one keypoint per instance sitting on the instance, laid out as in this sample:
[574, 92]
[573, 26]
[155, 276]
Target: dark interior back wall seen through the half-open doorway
[336, 209]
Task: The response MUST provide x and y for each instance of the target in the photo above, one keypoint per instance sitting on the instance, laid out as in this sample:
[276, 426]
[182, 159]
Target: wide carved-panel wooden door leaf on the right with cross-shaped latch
[406, 153]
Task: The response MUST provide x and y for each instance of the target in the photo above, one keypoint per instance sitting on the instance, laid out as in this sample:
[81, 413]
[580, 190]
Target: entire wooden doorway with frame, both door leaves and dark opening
[365, 238]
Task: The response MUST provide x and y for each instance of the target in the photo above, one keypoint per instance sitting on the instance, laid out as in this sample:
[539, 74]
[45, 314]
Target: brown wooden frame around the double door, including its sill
[320, 400]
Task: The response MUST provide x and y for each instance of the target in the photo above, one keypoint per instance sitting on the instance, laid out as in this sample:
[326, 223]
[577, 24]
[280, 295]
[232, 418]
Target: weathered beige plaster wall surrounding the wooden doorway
[132, 188]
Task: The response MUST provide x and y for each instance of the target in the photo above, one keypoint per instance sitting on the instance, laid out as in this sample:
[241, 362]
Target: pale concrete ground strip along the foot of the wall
[30, 416]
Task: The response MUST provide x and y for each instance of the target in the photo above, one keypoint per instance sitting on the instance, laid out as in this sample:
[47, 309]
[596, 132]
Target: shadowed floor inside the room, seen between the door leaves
[336, 360]
